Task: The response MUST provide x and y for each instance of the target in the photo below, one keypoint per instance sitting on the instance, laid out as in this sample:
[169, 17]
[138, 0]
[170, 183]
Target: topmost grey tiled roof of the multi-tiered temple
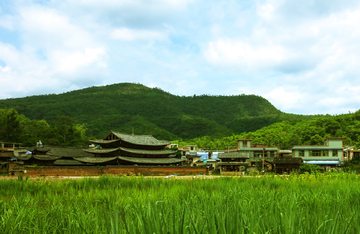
[141, 139]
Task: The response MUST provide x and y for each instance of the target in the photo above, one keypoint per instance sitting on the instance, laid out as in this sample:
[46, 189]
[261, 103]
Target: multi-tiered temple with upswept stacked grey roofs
[128, 149]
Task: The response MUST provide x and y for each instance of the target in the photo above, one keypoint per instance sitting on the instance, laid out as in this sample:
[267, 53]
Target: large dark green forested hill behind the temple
[126, 106]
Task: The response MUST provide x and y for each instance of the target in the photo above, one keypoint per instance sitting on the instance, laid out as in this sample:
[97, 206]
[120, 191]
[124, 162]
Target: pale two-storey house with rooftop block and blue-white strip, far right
[328, 155]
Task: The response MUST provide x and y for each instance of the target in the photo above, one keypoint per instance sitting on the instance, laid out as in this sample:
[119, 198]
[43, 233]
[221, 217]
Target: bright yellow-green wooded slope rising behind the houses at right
[286, 134]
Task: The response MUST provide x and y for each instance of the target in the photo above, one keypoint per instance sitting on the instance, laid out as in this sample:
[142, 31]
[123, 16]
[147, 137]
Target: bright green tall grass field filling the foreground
[295, 204]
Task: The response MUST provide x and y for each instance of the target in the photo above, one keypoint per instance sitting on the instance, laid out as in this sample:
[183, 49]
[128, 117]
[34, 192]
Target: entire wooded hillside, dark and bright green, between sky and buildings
[213, 122]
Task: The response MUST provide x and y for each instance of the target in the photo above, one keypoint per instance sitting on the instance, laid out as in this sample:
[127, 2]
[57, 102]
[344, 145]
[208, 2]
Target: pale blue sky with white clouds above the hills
[302, 56]
